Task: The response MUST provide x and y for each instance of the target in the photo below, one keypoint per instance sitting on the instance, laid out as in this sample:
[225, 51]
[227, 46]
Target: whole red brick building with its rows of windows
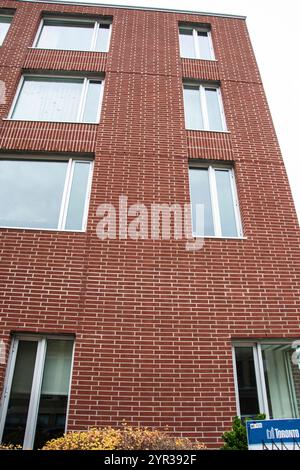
[162, 107]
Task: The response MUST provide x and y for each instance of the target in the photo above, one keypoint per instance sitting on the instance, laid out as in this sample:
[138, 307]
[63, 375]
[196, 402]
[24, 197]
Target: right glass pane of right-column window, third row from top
[226, 203]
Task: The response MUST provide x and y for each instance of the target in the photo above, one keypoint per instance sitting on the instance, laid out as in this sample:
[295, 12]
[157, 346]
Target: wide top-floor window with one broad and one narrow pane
[74, 34]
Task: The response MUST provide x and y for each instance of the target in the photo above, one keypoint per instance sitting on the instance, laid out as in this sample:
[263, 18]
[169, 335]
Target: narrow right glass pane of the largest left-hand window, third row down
[78, 196]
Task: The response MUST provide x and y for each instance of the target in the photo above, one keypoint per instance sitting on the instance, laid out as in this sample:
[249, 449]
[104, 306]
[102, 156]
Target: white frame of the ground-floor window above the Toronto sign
[259, 372]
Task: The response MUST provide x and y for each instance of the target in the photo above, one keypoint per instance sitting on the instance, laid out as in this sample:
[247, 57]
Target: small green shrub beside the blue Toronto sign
[236, 439]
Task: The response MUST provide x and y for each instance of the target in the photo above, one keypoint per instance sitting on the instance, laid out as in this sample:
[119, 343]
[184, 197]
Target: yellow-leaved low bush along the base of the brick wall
[126, 438]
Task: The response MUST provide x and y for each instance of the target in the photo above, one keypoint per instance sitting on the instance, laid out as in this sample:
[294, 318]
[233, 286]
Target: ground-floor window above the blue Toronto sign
[268, 379]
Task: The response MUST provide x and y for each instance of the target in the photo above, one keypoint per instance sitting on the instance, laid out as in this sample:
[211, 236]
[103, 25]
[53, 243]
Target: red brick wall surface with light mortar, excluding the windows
[153, 322]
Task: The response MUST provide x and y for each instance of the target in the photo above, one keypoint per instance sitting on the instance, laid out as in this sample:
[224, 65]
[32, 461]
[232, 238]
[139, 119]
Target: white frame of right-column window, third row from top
[214, 199]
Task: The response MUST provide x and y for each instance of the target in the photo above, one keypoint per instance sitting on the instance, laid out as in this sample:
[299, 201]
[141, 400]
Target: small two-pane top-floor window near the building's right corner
[195, 43]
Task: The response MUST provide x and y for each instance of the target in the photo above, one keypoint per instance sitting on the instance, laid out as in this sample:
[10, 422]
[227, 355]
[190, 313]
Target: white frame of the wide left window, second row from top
[82, 100]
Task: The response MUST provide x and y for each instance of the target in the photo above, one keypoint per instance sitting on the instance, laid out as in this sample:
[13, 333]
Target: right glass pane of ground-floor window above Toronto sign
[282, 377]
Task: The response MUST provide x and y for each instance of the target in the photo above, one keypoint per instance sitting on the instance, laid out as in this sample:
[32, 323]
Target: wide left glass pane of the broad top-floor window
[66, 36]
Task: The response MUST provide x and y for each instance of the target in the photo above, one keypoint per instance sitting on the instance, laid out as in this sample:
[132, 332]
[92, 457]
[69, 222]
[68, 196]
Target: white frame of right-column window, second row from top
[203, 106]
